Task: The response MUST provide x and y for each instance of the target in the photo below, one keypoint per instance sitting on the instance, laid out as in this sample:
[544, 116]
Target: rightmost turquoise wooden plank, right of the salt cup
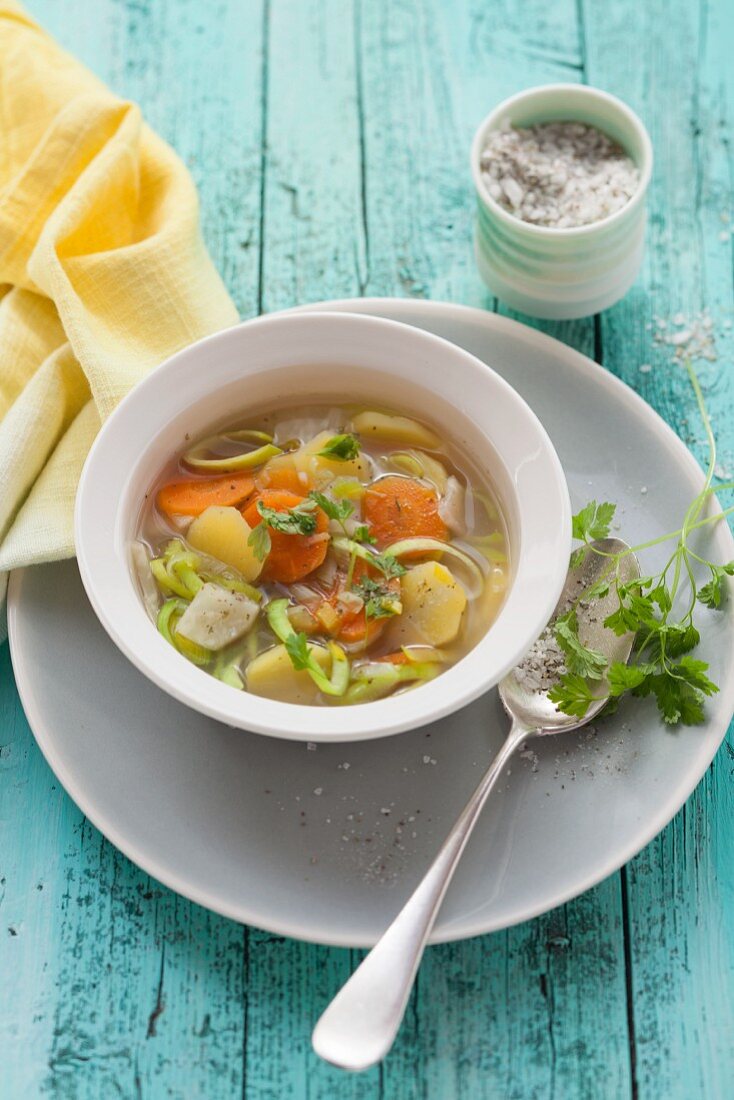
[682, 888]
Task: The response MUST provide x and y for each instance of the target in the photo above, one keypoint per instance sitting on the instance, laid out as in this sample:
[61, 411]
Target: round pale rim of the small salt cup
[568, 233]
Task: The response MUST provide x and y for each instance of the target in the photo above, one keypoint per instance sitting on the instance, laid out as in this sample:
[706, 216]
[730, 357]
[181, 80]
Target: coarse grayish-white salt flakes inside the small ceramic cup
[558, 174]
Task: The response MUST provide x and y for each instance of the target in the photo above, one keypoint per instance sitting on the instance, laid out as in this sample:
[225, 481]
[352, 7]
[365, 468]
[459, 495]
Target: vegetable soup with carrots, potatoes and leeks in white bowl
[323, 556]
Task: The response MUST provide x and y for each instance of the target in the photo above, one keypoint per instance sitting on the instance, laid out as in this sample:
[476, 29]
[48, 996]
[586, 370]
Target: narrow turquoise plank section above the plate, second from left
[314, 239]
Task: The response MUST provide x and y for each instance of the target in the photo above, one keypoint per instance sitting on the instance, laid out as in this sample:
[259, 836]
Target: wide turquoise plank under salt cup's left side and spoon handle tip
[532, 1013]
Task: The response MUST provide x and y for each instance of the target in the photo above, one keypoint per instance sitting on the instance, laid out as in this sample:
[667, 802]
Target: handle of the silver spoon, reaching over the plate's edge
[360, 1026]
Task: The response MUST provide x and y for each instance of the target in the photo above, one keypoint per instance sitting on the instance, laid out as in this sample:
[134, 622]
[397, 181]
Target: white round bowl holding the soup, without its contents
[337, 358]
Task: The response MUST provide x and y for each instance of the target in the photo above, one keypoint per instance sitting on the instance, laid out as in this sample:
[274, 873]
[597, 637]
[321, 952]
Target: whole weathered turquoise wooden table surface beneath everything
[328, 140]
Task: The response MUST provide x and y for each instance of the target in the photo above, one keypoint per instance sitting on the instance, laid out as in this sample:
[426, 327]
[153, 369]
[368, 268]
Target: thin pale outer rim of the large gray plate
[724, 703]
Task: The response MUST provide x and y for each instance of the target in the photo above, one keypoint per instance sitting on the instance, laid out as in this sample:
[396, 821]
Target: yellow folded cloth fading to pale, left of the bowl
[103, 276]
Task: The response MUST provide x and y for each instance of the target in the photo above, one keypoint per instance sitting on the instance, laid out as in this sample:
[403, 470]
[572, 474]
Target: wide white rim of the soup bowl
[455, 689]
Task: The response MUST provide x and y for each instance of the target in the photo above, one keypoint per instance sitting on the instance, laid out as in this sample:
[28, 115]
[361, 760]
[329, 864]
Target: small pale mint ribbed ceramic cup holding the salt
[563, 273]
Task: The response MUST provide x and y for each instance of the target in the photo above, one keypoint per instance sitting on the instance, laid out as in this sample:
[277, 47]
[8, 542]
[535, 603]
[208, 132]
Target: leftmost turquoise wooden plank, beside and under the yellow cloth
[119, 986]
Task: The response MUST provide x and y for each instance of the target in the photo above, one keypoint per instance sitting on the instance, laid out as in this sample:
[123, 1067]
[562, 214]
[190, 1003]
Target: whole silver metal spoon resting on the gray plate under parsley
[360, 1026]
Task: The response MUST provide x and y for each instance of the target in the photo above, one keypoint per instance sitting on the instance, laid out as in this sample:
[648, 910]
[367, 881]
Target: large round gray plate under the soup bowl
[325, 844]
